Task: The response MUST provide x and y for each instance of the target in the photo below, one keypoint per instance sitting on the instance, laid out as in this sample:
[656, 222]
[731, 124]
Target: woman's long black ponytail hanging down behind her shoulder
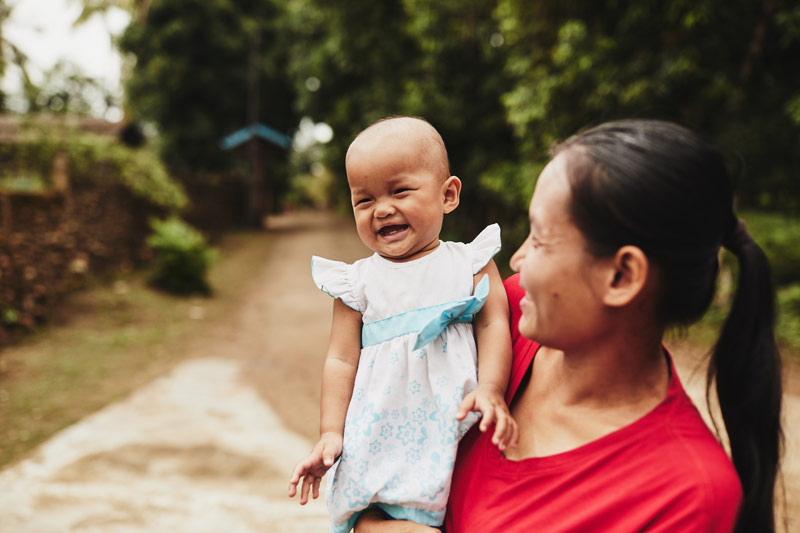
[746, 367]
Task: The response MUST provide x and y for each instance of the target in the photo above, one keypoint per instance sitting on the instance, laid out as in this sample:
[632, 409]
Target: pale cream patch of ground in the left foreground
[194, 451]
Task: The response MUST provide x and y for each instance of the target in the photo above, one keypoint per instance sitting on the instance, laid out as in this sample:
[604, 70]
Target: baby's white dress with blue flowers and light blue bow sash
[418, 360]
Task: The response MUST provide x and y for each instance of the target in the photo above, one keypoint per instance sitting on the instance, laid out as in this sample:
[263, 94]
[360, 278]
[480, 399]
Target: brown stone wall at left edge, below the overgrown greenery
[50, 241]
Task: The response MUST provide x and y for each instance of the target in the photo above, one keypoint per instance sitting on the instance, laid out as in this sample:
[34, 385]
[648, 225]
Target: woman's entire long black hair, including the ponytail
[660, 187]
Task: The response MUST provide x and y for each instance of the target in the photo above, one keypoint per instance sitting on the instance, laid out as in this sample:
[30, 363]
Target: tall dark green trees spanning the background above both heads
[502, 80]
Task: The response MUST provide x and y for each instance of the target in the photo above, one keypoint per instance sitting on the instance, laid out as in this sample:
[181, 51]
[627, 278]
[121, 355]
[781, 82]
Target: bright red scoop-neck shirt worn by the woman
[665, 472]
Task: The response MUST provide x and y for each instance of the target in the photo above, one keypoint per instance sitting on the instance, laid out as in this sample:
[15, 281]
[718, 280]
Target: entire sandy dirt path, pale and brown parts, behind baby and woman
[209, 447]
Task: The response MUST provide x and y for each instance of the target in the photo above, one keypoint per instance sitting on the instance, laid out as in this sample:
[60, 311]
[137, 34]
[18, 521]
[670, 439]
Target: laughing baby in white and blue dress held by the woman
[403, 378]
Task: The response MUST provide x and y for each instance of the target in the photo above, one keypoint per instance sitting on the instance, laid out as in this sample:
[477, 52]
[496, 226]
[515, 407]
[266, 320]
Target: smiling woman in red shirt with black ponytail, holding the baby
[626, 224]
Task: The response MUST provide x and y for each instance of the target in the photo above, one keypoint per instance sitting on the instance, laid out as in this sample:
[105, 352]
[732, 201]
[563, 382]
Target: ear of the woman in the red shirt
[626, 276]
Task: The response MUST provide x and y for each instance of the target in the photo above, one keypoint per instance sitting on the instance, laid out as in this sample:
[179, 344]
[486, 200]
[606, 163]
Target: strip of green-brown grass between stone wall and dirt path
[107, 340]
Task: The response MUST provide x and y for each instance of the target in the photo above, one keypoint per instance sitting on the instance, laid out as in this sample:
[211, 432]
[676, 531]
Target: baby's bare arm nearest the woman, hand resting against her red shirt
[494, 363]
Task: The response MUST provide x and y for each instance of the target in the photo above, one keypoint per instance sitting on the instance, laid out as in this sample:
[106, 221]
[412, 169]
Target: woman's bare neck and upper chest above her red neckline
[577, 396]
